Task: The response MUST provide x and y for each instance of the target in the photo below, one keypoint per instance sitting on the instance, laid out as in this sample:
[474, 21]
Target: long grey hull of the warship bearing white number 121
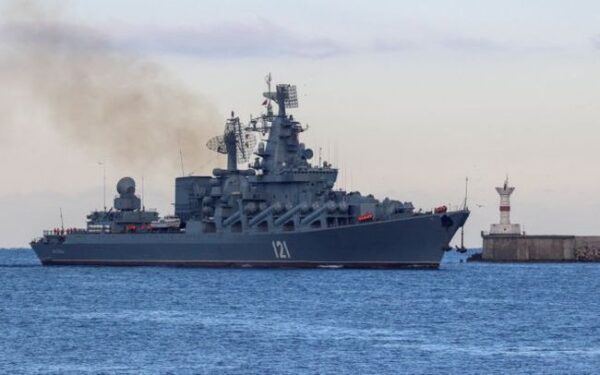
[418, 241]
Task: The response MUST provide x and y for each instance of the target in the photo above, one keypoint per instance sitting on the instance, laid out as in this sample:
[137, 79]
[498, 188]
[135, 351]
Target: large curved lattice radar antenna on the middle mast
[235, 142]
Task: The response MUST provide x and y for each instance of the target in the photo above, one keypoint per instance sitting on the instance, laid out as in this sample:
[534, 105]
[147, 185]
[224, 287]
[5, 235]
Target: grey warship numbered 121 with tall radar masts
[281, 211]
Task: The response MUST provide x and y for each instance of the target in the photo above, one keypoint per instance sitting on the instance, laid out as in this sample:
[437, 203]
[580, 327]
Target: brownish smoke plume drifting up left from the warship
[99, 97]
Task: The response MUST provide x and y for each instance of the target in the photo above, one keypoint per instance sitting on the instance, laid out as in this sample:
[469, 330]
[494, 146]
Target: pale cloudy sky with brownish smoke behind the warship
[408, 98]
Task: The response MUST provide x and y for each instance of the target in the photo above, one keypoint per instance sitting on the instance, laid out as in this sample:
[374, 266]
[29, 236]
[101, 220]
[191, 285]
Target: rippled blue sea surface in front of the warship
[464, 318]
